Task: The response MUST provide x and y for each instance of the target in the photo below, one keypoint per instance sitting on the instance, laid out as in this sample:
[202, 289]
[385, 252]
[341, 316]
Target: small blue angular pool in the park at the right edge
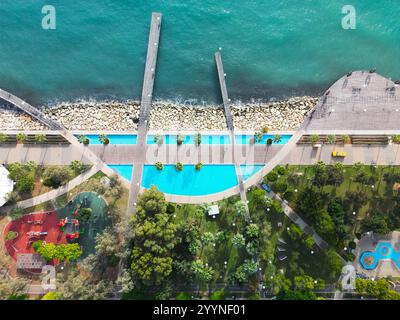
[384, 251]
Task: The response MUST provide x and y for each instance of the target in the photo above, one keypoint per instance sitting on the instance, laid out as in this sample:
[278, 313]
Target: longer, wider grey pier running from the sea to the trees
[145, 108]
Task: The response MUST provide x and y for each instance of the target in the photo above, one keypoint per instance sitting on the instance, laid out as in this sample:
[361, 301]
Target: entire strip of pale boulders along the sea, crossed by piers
[165, 115]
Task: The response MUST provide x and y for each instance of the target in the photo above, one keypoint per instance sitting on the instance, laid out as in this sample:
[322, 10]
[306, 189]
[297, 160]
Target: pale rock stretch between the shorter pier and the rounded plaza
[281, 115]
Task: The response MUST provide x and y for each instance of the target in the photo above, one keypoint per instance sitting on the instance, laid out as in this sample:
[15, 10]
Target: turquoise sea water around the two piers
[271, 48]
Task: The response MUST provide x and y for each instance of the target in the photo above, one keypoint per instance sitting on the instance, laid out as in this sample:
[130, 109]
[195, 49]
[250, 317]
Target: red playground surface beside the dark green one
[33, 227]
